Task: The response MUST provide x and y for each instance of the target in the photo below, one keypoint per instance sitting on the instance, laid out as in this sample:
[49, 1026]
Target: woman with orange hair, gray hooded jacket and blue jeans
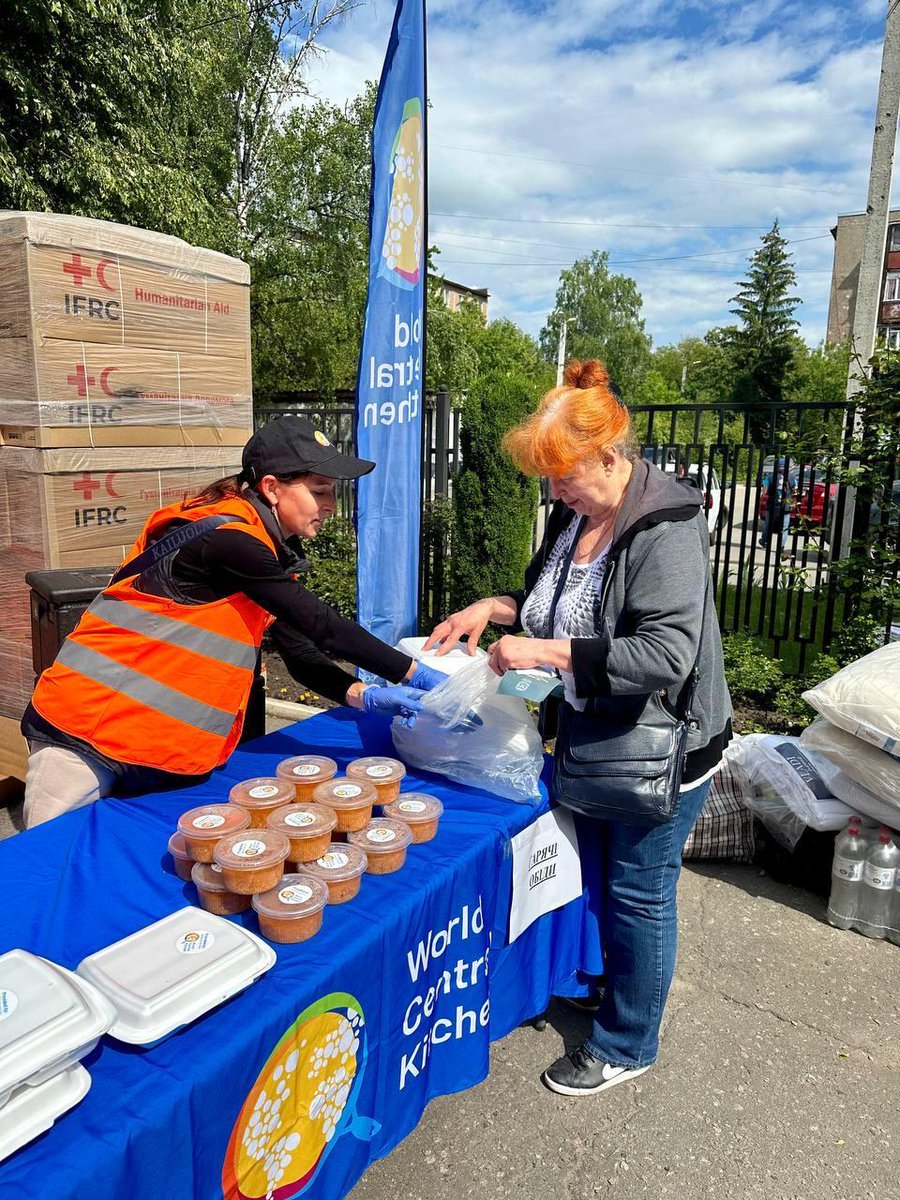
[619, 602]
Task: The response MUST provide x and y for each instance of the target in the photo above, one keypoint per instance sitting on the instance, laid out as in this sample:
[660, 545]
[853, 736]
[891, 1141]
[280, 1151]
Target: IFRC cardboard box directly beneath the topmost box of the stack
[93, 394]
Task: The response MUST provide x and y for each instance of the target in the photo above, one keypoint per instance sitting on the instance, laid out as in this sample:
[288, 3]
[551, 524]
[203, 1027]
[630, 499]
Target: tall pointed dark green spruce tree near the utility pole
[764, 344]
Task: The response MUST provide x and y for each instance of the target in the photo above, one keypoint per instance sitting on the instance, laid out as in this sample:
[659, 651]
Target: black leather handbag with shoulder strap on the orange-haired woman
[620, 760]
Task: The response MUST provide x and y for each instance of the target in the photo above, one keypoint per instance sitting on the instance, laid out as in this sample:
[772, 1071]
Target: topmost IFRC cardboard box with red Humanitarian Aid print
[94, 281]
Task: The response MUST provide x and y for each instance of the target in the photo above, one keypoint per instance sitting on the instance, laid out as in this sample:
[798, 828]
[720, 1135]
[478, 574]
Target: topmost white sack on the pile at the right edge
[865, 699]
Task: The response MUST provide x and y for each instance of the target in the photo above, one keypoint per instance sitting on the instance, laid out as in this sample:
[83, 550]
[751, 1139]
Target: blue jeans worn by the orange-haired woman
[639, 928]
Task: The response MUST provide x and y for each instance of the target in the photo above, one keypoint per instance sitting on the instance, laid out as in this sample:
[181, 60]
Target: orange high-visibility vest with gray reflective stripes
[152, 682]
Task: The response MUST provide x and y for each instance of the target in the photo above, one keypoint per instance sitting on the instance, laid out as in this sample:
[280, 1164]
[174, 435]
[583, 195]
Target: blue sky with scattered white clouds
[669, 134]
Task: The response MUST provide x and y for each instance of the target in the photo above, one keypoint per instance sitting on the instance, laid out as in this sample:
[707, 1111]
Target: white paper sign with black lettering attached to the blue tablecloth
[547, 869]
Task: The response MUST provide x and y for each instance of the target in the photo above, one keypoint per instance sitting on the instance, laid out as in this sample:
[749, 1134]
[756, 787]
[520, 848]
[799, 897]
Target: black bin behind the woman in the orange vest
[58, 601]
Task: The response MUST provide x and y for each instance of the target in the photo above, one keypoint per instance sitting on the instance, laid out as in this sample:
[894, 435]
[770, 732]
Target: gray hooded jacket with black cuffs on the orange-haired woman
[649, 623]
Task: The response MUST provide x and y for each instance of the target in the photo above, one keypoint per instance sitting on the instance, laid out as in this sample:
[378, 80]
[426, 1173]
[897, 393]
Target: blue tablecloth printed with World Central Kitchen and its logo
[394, 1003]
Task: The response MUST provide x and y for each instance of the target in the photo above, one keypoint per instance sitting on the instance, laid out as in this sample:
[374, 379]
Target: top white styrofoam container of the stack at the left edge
[49, 1021]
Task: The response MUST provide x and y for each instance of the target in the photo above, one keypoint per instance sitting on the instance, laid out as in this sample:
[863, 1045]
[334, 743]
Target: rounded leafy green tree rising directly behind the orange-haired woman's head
[605, 322]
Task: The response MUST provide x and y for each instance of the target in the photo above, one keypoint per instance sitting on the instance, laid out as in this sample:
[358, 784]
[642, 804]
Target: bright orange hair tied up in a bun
[573, 423]
